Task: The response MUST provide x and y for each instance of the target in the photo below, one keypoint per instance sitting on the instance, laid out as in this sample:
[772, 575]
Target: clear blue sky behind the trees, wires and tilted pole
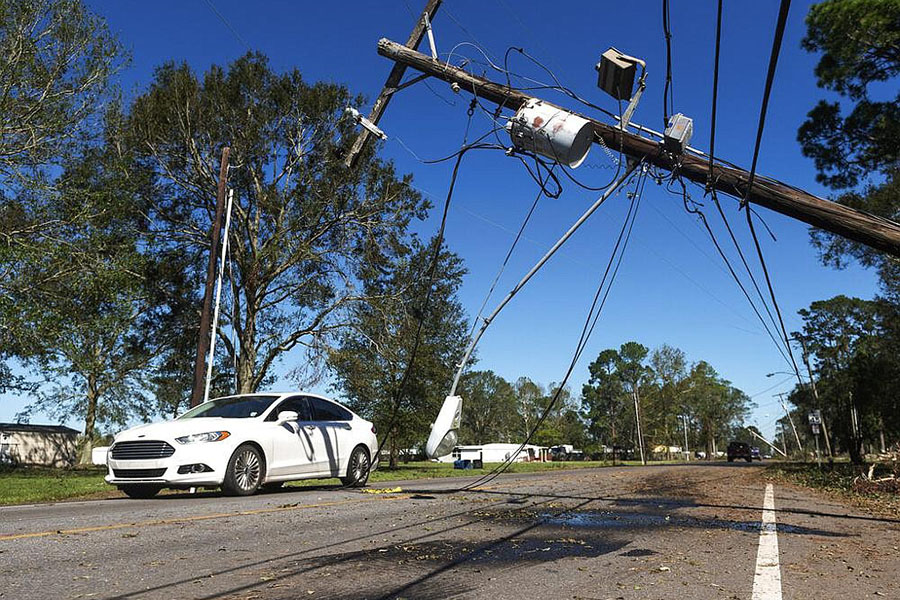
[672, 288]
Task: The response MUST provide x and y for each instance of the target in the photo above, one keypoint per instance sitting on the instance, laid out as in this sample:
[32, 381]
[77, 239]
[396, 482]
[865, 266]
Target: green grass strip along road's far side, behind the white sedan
[26, 486]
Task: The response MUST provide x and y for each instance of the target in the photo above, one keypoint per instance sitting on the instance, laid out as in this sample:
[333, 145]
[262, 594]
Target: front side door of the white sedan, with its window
[293, 445]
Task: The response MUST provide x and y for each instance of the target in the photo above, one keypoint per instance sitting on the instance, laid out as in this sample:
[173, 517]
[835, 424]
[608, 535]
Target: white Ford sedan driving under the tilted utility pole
[243, 443]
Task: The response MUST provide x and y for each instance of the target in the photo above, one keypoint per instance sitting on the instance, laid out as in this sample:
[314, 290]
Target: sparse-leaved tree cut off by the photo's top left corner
[56, 61]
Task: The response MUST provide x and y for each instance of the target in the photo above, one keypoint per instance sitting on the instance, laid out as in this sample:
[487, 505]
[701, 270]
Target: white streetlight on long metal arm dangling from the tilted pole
[444, 430]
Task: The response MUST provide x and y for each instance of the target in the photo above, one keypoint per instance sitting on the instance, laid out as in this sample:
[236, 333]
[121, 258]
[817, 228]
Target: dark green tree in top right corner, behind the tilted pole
[856, 153]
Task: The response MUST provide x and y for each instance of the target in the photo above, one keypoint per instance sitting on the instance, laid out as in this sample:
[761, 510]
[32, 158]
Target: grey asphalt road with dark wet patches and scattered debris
[685, 532]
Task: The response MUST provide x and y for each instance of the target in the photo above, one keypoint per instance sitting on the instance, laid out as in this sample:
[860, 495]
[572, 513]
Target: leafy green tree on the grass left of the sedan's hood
[82, 300]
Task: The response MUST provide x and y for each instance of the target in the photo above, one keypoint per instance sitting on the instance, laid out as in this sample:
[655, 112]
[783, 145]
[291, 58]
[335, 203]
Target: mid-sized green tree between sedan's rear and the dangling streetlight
[372, 355]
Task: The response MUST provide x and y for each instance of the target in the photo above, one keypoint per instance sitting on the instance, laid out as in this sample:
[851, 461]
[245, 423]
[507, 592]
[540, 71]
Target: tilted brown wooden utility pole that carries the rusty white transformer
[874, 231]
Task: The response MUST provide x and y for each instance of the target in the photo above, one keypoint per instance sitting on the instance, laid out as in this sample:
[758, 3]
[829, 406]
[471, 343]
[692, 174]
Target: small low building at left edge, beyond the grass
[26, 445]
